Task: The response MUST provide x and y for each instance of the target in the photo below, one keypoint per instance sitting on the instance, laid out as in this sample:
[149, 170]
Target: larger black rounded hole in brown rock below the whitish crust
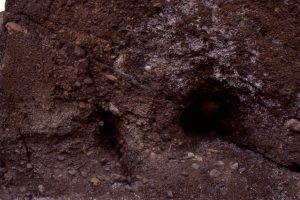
[210, 111]
